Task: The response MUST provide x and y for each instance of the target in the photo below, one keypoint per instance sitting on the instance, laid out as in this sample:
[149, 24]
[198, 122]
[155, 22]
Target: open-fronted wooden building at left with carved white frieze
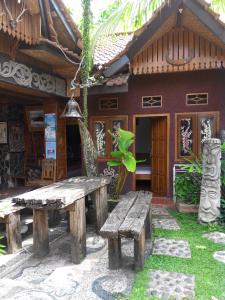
[40, 48]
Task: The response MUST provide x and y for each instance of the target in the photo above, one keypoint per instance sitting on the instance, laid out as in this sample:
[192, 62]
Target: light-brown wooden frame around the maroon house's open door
[167, 115]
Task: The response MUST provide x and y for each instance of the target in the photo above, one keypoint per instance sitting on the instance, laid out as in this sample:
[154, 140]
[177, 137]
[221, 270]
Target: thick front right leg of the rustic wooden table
[78, 230]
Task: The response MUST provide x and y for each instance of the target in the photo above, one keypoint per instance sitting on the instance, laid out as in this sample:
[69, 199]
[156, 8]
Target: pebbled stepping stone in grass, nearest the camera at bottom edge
[170, 285]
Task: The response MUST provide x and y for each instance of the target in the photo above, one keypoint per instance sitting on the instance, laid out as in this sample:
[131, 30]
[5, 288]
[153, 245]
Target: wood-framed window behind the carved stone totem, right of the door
[192, 129]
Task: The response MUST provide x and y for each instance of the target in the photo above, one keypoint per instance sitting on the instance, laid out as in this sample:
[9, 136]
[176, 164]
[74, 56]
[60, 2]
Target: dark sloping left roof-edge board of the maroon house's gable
[147, 34]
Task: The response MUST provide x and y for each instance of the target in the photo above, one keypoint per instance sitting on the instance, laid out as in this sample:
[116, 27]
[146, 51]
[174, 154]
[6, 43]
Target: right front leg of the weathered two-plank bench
[139, 251]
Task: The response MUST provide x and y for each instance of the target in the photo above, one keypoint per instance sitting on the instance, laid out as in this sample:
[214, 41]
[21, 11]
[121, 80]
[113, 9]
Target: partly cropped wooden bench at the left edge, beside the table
[10, 216]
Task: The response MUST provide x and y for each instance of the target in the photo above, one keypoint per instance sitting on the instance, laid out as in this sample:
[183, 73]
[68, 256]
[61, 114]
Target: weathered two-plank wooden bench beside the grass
[131, 218]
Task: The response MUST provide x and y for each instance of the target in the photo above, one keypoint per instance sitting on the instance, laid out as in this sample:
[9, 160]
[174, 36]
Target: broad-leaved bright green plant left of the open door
[122, 158]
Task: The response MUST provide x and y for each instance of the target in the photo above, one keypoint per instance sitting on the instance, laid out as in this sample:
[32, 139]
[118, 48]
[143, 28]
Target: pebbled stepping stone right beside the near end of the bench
[170, 247]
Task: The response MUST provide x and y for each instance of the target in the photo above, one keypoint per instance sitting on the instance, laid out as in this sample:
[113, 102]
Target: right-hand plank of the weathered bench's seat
[135, 220]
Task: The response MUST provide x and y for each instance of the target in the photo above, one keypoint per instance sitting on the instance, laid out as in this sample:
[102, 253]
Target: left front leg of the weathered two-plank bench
[114, 253]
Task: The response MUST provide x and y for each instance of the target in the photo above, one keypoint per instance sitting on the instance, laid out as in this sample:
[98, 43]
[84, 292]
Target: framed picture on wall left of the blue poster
[35, 118]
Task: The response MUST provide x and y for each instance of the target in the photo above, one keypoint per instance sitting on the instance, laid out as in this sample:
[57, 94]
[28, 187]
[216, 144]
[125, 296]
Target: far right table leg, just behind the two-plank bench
[101, 206]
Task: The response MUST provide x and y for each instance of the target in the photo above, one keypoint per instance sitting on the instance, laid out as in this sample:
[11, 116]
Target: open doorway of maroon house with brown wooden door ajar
[152, 147]
